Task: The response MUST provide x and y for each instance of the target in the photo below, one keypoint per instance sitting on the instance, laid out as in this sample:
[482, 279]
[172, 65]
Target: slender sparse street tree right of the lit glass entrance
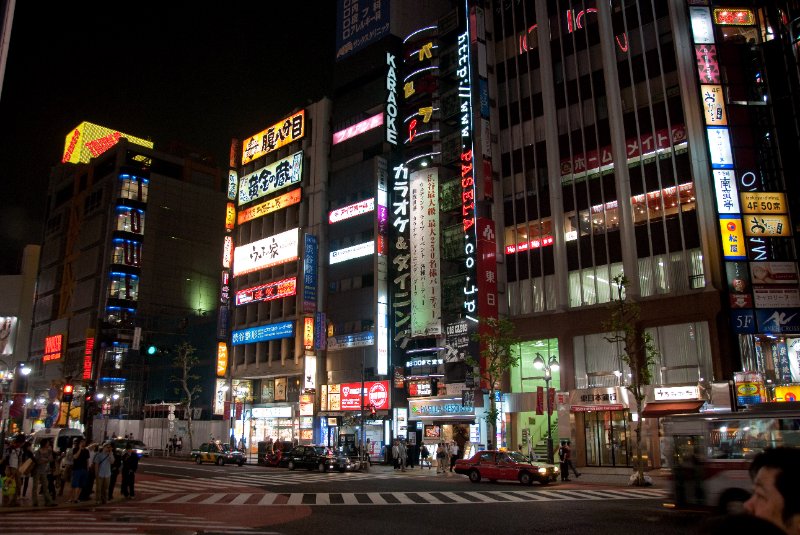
[639, 353]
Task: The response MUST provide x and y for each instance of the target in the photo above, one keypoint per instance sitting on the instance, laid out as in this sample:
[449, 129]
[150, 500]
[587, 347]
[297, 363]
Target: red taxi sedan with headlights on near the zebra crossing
[507, 465]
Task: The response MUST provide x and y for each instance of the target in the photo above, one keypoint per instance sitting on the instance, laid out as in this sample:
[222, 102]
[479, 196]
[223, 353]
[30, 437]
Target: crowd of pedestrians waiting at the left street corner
[78, 473]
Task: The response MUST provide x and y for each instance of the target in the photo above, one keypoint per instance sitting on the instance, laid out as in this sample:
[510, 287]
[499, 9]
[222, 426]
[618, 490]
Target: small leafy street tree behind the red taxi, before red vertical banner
[496, 338]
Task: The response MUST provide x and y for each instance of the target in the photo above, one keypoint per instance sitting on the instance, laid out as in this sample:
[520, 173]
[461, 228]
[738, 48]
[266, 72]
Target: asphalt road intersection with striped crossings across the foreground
[177, 497]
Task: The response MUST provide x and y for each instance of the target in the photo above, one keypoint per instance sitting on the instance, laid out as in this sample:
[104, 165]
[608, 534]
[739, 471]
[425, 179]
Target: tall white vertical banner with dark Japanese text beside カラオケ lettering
[426, 301]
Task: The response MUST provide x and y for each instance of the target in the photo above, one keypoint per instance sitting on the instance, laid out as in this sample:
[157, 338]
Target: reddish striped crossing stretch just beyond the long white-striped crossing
[252, 479]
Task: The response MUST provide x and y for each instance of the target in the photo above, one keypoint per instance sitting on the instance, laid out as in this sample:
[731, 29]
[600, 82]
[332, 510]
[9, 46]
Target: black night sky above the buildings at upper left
[193, 72]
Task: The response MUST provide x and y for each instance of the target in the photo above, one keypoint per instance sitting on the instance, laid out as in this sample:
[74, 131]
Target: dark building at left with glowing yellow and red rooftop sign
[128, 262]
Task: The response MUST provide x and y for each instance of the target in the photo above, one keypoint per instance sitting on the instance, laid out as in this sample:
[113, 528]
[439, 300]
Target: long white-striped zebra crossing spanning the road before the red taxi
[401, 498]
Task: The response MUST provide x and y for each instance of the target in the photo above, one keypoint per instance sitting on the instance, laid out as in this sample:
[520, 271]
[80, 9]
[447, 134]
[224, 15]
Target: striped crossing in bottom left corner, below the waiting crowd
[115, 520]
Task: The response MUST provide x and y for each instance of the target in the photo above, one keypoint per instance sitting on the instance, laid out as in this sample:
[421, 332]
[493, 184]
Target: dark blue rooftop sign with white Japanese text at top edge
[359, 23]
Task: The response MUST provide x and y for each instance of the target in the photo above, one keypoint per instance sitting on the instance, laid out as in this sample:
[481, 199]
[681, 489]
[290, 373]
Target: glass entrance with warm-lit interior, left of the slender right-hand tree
[607, 438]
